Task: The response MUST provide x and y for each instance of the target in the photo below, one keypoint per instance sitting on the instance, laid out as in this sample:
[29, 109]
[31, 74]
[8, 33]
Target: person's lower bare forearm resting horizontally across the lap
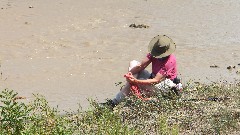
[158, 78]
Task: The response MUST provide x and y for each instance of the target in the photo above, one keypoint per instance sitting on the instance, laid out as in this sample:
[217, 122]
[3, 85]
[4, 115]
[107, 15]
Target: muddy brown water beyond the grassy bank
[72, 50]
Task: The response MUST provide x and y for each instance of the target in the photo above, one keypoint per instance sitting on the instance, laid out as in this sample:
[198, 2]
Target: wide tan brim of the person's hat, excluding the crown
[157, 54]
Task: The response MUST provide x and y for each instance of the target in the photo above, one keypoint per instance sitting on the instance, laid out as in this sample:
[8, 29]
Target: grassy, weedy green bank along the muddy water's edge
[201, 109]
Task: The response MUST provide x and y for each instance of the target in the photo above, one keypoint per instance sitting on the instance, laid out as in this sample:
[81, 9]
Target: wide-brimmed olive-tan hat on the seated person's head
[161, 46]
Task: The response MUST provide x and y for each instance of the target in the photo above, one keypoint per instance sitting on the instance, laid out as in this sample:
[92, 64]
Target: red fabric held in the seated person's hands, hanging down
[135, 89]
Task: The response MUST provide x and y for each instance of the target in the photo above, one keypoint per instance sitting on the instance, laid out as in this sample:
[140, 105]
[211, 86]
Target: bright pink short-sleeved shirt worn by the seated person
[166, 67]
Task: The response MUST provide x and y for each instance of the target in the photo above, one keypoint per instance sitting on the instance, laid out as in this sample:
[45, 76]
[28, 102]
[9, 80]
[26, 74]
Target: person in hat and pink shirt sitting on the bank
[163, 76]
